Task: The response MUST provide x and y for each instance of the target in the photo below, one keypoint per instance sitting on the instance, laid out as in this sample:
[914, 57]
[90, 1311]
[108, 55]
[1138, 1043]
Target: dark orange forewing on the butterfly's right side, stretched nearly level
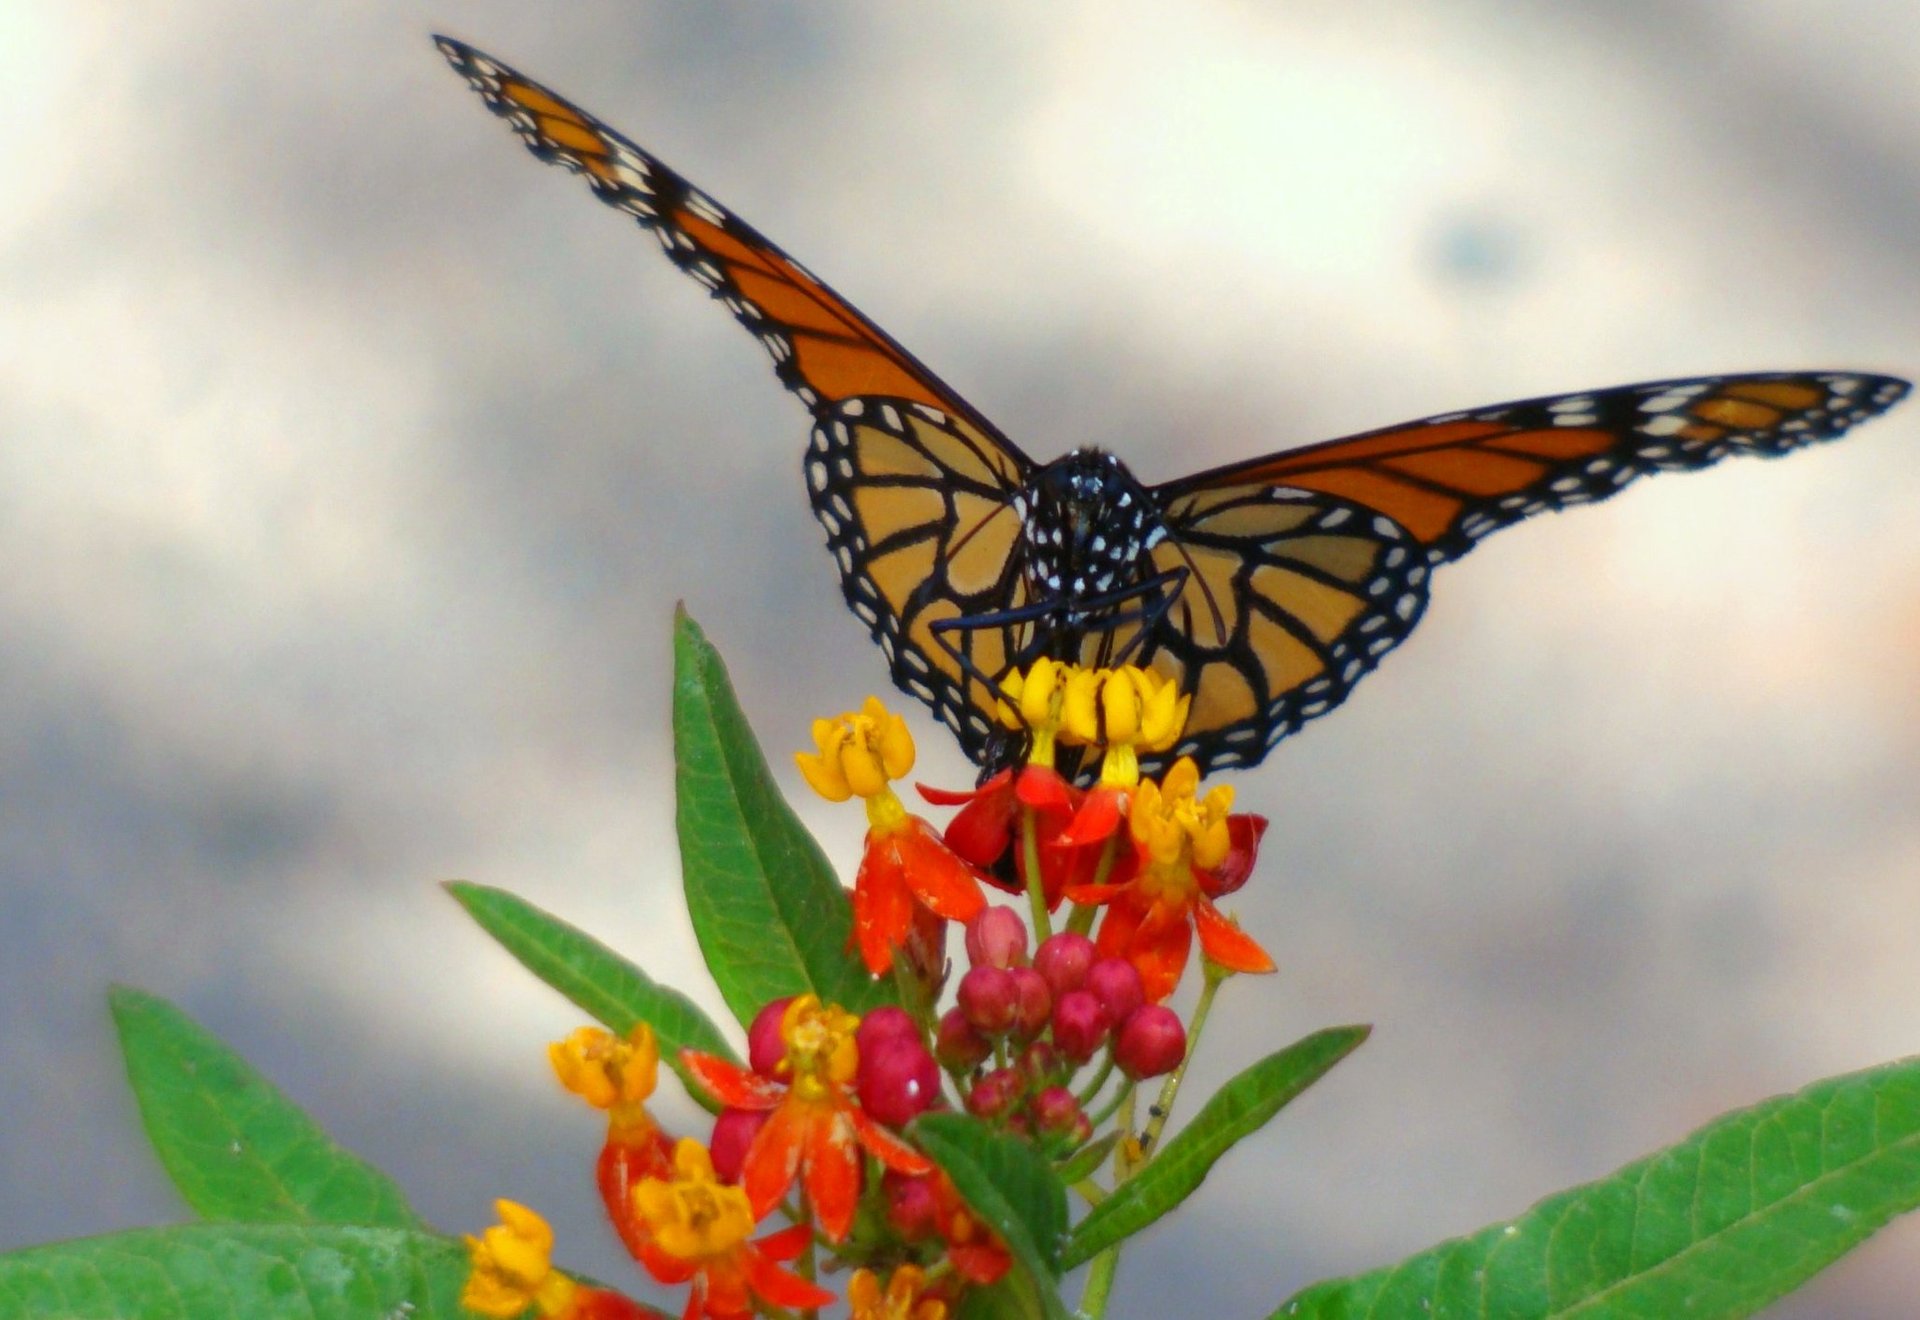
[1451, 481]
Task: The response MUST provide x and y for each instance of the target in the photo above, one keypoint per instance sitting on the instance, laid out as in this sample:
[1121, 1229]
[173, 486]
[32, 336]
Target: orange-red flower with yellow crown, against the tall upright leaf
[905, 860]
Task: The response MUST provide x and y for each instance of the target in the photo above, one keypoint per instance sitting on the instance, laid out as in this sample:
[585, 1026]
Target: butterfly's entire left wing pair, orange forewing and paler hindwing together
[915, 488]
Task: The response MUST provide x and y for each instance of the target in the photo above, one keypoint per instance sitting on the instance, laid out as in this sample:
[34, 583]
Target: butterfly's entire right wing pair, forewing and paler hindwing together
[1307, 567]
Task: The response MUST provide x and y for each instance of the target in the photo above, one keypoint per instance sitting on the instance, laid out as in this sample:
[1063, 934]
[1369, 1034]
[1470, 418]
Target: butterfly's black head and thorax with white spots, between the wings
[1088, 527]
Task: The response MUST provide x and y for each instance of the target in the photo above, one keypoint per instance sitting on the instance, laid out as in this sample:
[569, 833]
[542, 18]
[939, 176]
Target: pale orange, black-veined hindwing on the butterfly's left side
[924, 523]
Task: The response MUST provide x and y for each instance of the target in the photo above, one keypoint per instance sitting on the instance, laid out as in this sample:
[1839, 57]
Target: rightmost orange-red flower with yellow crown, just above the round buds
[1191, 851]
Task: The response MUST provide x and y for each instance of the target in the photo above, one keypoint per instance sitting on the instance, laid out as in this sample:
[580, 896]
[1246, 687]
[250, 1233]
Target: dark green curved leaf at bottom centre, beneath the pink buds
[1009, 1185]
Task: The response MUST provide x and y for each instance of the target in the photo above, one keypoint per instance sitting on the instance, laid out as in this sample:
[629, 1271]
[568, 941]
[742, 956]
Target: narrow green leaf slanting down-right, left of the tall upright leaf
[608, 987]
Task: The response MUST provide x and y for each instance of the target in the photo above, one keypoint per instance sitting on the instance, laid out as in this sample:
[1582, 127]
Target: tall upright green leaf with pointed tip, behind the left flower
[767, 908]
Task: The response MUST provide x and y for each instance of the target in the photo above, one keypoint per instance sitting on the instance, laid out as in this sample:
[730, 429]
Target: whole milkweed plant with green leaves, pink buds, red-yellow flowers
[900, 1135]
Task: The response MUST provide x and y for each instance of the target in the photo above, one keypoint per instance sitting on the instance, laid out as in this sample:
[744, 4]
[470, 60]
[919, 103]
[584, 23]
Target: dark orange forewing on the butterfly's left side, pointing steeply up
[823, 348]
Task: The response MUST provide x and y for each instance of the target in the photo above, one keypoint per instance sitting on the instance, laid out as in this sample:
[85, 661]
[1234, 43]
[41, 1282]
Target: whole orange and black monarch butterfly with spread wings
[1264, 588]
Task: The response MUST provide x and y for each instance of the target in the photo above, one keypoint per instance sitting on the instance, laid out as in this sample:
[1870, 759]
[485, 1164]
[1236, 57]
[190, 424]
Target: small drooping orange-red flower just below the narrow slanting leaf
[619, 1077]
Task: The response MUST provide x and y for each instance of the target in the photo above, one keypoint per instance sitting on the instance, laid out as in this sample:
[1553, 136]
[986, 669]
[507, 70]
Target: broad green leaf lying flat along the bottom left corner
[239, 1273]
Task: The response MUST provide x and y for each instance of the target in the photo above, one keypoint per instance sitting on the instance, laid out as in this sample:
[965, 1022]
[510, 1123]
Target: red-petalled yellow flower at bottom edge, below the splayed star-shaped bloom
[698, 1231]
